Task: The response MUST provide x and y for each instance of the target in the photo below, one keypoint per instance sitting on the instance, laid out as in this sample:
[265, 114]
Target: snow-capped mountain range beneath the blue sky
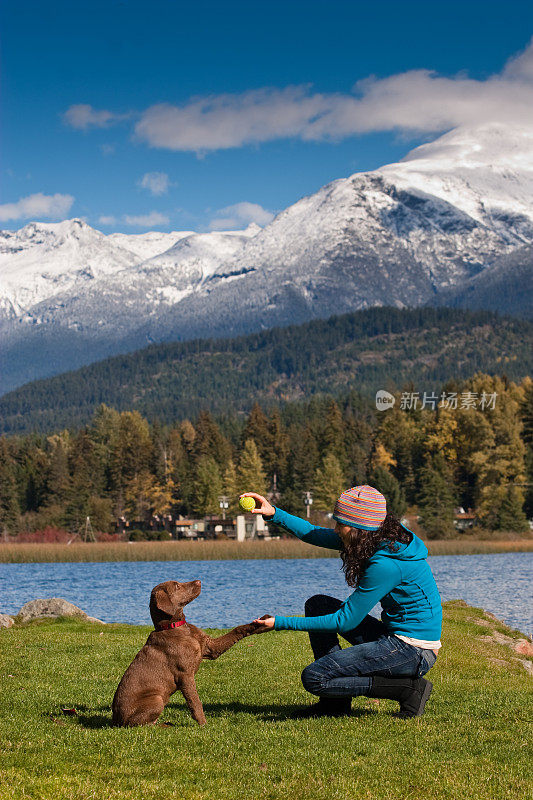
[404, 235]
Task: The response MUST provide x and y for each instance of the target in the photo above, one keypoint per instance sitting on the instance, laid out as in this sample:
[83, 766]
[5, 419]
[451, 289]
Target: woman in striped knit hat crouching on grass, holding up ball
[384, 562]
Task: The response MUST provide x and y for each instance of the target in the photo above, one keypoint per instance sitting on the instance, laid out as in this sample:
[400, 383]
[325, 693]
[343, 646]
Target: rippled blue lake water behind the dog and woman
[237, 591]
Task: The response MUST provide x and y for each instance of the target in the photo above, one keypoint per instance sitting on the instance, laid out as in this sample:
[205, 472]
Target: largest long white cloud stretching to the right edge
[418, 101]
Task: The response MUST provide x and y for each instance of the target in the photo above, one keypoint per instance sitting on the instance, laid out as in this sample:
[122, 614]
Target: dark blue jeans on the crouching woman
[348, 672]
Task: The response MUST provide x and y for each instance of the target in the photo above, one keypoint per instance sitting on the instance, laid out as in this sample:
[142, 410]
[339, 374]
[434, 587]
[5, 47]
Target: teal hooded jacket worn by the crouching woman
[402, 581]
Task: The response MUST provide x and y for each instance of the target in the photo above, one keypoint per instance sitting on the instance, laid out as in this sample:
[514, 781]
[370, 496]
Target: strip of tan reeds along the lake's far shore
[19, 553]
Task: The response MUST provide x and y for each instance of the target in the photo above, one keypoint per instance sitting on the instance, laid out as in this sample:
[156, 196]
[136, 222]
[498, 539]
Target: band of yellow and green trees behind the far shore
[471, 445]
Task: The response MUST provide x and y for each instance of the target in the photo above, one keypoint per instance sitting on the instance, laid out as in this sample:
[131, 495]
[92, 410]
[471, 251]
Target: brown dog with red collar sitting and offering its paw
[170, 658]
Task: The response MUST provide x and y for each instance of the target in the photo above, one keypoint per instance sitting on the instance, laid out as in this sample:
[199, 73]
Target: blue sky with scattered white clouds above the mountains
[176, 115]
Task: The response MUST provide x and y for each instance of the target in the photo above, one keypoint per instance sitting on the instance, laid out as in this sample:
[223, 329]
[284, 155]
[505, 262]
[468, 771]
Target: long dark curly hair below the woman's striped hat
[362, 545]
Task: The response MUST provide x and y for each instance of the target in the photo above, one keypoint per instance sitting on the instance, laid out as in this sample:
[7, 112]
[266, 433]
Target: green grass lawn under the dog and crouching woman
[472, 742]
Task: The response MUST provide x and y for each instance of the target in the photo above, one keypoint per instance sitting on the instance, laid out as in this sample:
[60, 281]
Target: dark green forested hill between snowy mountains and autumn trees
[364, 351]
